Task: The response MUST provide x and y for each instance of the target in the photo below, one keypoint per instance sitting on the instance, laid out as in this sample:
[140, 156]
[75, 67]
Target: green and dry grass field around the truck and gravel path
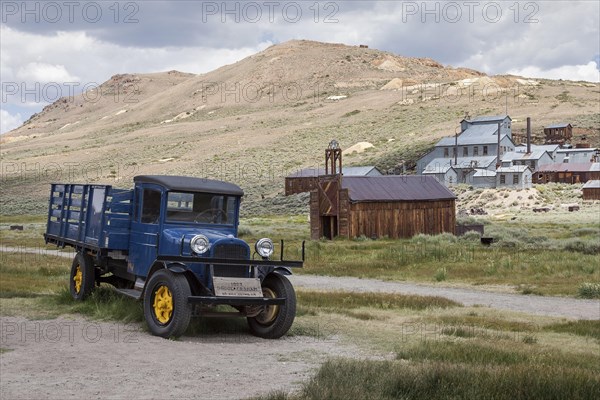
[422, 347]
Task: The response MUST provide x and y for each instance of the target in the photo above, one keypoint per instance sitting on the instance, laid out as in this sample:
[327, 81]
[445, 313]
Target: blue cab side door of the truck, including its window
[145, 228]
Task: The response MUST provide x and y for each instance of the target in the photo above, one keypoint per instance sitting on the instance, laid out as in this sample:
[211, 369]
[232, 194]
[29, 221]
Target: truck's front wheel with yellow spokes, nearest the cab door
[166, 307]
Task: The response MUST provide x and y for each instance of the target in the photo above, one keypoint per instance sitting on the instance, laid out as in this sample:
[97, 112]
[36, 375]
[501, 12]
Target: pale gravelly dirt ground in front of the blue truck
[75, 358]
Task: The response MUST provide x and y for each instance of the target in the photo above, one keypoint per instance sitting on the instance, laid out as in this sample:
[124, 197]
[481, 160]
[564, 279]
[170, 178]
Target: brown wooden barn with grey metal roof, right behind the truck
[392, 205]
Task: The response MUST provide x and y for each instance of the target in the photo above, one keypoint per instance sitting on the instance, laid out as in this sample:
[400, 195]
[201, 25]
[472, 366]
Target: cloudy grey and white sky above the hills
[52, 48]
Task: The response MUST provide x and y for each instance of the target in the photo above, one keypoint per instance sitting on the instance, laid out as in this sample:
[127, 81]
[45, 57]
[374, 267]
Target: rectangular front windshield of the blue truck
[201, 208]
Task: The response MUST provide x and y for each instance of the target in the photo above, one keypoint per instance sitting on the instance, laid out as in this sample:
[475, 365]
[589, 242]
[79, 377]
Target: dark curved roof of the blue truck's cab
[191, 184]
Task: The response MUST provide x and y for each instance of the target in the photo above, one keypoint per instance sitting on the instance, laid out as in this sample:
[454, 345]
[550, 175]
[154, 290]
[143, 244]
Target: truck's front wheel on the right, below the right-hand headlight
[274, 321]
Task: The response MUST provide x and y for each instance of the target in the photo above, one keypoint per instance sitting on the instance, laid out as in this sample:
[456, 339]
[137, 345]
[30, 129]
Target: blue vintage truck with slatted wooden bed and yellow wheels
[172, 241]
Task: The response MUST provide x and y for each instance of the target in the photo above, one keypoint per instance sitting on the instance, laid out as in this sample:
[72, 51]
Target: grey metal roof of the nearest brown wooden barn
[395, 188]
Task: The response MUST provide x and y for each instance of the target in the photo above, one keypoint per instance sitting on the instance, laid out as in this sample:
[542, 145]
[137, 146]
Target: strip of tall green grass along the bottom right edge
[366, 379]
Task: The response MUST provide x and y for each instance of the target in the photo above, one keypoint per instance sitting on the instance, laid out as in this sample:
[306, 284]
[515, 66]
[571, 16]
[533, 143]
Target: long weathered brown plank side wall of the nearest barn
[401, 219]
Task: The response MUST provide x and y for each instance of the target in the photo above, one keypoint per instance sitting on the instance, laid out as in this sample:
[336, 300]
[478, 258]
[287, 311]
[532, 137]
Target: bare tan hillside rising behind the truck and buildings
[254, 121]
